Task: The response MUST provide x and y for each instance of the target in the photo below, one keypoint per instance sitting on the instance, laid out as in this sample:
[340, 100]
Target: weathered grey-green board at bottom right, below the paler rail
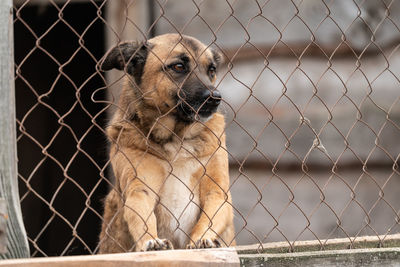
[349, 257]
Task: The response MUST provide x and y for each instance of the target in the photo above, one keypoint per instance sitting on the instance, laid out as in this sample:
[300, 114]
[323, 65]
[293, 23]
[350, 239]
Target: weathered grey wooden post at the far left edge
[17, 246]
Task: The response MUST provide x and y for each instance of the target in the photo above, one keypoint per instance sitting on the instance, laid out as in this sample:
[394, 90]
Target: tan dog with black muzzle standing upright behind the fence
[168, 150]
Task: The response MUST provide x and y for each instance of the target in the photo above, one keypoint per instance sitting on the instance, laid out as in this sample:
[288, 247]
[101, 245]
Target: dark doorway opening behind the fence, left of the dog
[61, 152]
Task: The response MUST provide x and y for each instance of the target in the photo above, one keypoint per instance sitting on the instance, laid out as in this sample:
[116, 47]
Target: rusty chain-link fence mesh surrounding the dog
[310, 98]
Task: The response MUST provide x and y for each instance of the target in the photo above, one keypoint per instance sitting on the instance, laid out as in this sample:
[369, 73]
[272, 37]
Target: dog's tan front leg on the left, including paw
[139, 183]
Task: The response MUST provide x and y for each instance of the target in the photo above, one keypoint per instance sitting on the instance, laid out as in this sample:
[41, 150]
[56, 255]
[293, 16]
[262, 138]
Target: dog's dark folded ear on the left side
[129, 56]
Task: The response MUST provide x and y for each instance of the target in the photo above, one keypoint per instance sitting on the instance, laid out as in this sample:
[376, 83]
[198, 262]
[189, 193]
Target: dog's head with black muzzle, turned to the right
[171, 73]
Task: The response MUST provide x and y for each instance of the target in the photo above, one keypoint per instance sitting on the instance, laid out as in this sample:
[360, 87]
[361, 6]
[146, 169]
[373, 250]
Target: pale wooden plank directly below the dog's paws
[224, 257]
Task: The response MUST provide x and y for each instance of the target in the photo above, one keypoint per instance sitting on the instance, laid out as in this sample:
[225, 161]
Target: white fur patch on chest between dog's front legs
[179, 198]
